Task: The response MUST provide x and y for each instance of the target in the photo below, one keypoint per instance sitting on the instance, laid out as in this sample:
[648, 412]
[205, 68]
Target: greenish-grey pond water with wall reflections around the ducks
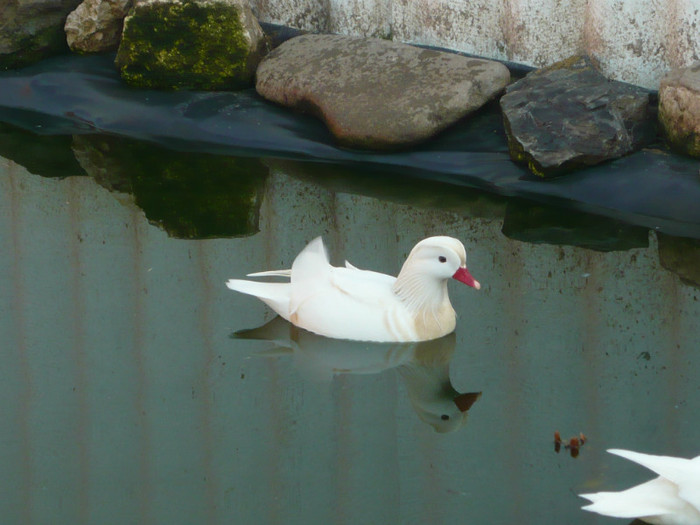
[132, 397]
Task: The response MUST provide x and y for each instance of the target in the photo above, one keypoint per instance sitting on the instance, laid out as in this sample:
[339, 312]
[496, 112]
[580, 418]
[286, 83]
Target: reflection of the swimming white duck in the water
[423, 367]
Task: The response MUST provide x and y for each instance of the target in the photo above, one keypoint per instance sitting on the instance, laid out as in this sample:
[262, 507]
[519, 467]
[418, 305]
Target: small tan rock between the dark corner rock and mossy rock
[96, 25]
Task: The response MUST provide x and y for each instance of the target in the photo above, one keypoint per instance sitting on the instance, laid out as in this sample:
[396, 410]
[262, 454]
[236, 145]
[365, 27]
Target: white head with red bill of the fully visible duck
[442, 258]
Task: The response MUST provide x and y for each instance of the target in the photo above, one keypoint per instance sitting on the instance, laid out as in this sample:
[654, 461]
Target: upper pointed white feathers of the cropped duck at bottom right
[684, 473]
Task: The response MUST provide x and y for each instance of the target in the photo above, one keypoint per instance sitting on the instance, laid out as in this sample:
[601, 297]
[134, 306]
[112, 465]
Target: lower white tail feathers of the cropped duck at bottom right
[653, 499]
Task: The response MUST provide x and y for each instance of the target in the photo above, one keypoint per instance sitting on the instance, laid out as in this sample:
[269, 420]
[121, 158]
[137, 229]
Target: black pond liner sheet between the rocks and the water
[72, 94]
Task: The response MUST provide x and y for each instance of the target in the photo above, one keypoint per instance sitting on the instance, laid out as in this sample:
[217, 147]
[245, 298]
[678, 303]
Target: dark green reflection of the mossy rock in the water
[189, 196]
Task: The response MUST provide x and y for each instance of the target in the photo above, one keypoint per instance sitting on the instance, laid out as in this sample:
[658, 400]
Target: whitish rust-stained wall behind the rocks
[636, 41]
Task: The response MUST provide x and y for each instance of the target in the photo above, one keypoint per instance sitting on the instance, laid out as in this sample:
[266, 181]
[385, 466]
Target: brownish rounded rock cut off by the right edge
[679, 109]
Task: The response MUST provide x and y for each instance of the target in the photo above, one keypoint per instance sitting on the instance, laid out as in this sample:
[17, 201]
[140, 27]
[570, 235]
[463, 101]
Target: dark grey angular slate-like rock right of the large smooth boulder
[569, 115]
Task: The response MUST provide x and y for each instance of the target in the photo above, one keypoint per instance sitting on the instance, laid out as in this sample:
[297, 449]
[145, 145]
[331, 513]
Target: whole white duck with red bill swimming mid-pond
[349, 303]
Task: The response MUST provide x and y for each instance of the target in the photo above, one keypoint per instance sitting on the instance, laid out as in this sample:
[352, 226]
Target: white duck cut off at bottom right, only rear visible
[671, 499]
